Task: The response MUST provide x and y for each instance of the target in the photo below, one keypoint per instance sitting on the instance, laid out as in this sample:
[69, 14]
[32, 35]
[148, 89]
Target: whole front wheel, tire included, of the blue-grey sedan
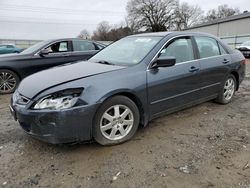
[117, 126]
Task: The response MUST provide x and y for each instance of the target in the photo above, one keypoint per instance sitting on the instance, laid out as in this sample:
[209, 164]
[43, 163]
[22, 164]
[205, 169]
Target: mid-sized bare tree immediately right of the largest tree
[187, 16]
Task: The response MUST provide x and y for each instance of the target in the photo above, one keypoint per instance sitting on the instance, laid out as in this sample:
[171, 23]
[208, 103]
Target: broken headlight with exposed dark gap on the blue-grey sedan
[60, 100]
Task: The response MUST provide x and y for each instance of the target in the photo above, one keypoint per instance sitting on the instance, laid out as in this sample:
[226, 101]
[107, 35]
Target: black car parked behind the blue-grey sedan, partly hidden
[43, 55]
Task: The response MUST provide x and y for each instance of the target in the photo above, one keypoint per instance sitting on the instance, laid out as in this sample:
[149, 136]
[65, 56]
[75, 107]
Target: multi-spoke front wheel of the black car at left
[8, 81]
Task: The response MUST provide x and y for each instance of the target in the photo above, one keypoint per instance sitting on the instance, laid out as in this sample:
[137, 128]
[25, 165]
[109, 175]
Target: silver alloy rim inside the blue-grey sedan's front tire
[116, 122]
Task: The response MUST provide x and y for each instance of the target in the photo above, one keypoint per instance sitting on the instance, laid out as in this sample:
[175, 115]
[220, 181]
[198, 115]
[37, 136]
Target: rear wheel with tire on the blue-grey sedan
[229, 85]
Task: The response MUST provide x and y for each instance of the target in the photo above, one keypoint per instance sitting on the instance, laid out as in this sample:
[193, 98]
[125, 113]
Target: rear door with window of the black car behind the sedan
[83, 50]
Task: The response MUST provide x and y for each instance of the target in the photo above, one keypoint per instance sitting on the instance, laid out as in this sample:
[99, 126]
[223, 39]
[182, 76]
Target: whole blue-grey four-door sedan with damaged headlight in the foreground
[130, 82]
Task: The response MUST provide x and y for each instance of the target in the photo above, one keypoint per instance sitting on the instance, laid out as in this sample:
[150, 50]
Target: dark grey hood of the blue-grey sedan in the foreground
[38, 82]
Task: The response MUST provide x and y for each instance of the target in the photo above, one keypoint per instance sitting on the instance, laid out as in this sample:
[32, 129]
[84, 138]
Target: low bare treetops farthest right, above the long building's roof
[223, 11]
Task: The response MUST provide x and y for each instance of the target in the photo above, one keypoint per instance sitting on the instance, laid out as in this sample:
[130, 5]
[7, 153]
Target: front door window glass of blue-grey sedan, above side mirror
[180, 48]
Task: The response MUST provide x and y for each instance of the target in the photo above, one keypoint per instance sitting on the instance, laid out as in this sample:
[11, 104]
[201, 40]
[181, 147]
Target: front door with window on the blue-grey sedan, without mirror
[172, 87]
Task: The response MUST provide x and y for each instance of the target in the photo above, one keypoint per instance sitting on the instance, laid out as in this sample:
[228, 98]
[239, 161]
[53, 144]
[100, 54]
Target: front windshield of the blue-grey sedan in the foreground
[127, 51]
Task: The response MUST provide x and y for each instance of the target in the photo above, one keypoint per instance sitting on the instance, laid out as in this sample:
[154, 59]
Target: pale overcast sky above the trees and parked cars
[45, 19]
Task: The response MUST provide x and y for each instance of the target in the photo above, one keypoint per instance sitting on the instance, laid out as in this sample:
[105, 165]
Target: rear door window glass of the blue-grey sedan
[208, 47]
